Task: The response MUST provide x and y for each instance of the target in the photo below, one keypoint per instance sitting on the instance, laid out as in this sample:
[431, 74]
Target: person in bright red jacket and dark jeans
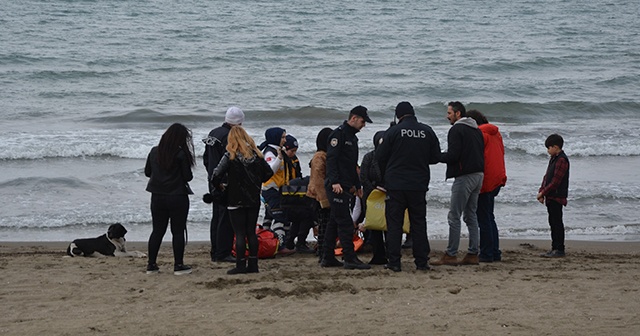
[495, 177]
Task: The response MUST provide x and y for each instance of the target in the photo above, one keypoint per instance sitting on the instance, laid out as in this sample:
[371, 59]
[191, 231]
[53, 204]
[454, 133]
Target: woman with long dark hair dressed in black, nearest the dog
[169, 170]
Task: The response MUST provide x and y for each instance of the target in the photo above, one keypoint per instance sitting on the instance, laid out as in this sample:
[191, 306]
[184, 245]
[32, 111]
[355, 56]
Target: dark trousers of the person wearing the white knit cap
[220, 232]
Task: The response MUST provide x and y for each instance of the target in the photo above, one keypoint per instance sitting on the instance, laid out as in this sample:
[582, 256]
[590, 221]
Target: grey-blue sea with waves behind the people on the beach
[87, 87]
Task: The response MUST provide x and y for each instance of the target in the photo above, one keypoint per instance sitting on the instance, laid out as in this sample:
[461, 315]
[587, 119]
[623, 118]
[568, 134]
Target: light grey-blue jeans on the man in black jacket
[464, 202]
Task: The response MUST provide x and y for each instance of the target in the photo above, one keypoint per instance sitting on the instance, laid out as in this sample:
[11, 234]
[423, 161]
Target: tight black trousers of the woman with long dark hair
[165, 208]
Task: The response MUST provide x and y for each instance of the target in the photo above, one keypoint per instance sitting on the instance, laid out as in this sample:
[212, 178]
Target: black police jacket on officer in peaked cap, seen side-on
[342, 158]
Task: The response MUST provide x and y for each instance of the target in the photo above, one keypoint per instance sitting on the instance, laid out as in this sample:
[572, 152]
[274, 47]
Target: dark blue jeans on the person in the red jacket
[489, 240]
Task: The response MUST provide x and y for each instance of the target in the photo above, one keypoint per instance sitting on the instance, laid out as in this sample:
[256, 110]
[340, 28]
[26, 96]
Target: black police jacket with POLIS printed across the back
[405, 154]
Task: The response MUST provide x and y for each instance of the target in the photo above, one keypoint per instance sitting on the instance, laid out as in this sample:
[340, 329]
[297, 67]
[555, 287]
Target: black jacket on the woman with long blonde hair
[244, 178]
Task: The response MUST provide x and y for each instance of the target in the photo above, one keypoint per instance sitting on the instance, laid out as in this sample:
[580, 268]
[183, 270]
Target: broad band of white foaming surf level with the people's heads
[582, 138]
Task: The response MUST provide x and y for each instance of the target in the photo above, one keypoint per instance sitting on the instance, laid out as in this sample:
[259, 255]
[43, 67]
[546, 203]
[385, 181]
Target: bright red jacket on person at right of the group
[495, 173]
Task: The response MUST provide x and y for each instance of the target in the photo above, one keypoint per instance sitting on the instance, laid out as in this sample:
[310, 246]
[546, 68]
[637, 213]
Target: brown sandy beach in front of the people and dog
[593, 291]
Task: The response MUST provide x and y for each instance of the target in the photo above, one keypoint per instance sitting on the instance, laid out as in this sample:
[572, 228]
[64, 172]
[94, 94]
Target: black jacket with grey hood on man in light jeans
[465, 152]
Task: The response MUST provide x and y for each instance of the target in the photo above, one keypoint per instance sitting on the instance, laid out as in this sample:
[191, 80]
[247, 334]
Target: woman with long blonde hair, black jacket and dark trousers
[247, 170]
